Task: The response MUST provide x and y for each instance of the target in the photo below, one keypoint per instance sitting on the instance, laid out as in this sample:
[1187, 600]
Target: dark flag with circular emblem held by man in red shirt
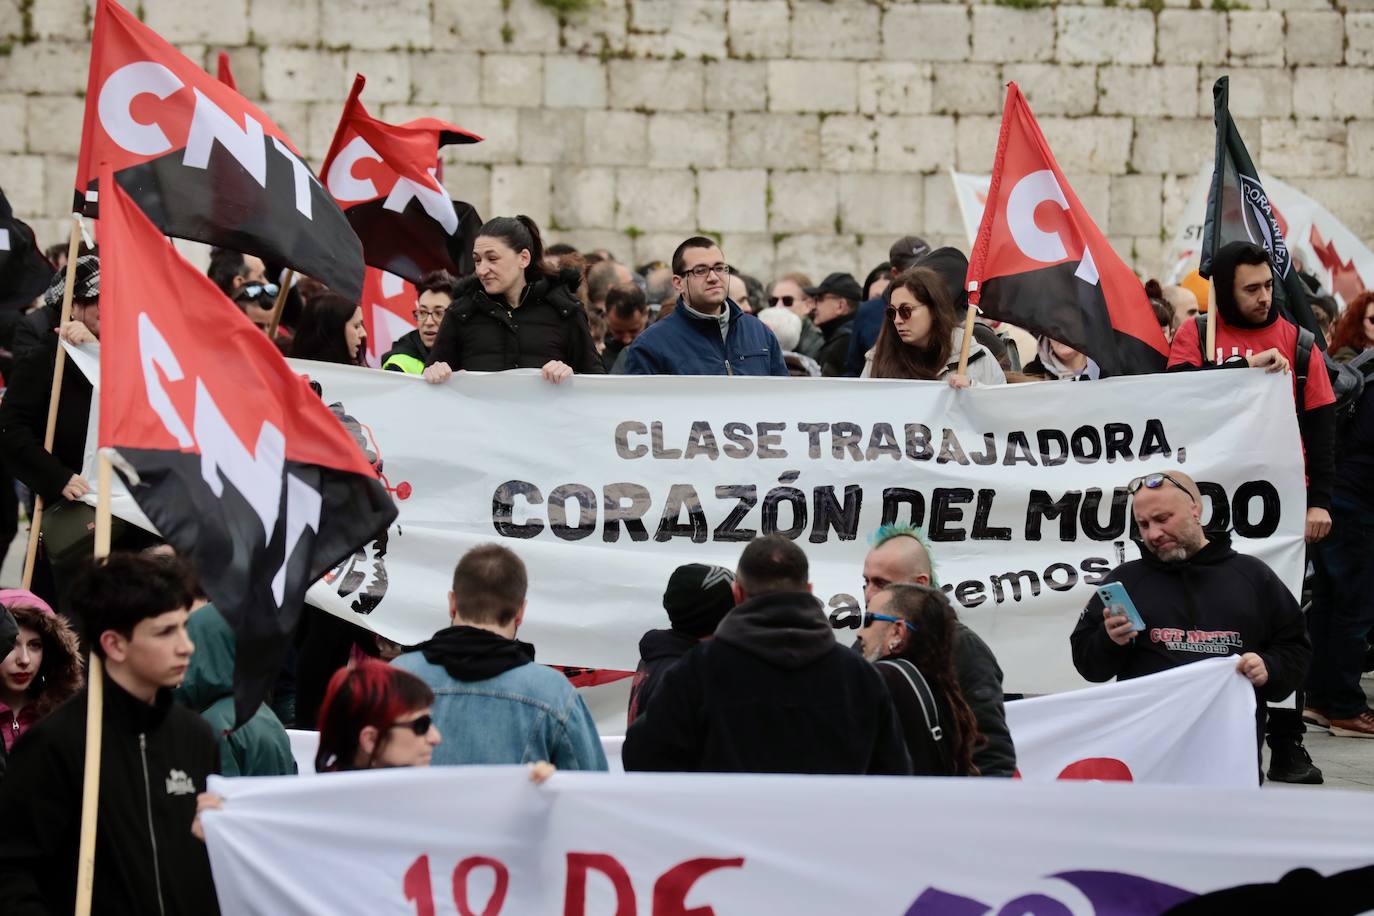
[1240, 211]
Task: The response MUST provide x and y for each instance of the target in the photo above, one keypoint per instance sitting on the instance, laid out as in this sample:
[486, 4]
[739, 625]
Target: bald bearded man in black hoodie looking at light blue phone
[1199, 599]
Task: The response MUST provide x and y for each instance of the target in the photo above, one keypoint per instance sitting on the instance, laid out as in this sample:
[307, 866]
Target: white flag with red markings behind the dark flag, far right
[1318, 241]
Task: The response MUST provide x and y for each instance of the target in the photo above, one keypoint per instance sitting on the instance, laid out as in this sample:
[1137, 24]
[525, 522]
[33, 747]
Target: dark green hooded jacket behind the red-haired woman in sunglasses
[262, 746]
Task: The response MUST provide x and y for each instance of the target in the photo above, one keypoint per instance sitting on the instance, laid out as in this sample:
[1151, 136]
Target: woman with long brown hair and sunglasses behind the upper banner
[923, 336]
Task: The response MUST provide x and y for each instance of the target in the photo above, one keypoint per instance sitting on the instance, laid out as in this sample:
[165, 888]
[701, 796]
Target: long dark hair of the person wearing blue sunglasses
[931, 649]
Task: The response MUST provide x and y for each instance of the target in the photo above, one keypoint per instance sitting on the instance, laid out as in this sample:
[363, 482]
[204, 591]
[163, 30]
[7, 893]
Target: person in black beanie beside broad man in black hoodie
[697, 598]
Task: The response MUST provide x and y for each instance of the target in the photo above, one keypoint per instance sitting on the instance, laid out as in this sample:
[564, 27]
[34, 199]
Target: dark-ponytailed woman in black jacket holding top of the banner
[516, 312]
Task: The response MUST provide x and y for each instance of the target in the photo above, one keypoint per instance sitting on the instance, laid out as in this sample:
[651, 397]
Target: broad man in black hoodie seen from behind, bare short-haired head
[773, 693]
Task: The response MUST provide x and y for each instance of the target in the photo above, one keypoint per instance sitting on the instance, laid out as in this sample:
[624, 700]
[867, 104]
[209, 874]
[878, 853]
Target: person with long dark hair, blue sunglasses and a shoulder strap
[909, 634]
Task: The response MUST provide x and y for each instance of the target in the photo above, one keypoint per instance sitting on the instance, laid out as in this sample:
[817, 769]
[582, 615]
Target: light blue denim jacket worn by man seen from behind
[527, 715]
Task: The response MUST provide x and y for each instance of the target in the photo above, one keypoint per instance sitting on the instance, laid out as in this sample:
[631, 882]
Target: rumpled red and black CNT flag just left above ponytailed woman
[384, 176]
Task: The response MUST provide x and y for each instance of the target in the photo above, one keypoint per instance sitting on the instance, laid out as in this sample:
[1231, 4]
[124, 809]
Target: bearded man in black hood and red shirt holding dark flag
[1252, 334]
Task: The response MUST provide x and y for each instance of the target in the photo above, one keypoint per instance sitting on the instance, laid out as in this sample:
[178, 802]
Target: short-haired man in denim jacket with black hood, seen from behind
[493, 704]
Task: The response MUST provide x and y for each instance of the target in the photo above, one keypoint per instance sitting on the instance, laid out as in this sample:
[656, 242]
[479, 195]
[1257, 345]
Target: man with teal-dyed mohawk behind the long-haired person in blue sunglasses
[899, 557]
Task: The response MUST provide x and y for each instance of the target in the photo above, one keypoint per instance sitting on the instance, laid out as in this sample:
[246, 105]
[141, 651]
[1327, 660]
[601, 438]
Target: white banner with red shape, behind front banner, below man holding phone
[1192, 726]
